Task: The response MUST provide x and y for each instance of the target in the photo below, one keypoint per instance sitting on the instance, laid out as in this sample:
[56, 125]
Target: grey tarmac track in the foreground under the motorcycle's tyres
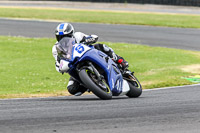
[173, 110]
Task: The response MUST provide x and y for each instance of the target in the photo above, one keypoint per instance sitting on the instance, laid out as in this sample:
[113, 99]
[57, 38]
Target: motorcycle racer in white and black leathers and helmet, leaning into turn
[65, 34]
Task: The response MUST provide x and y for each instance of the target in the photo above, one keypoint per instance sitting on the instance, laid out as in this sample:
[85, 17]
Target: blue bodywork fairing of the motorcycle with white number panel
[83, 53]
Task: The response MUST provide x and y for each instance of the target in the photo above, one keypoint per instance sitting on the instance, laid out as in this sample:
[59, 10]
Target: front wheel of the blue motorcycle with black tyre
[99, 88]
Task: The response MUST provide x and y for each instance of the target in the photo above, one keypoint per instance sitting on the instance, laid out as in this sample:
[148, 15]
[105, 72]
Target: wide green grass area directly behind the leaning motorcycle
[27, 66]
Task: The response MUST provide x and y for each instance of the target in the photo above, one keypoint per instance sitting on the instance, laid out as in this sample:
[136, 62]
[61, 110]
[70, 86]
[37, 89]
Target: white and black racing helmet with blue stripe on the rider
[64, 30]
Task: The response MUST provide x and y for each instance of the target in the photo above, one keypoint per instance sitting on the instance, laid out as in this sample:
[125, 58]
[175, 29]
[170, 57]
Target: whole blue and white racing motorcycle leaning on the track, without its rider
[98, 72]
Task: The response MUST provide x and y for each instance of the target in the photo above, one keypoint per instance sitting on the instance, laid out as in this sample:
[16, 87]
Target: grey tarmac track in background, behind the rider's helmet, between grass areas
[154, 36]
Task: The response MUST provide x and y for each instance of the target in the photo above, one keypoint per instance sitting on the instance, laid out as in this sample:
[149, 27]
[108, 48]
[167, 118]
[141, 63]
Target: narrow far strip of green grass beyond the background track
[111, 17]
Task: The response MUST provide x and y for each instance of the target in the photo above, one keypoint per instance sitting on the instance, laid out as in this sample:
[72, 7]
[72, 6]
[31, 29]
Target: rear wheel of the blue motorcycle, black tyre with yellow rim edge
[135, 87]
